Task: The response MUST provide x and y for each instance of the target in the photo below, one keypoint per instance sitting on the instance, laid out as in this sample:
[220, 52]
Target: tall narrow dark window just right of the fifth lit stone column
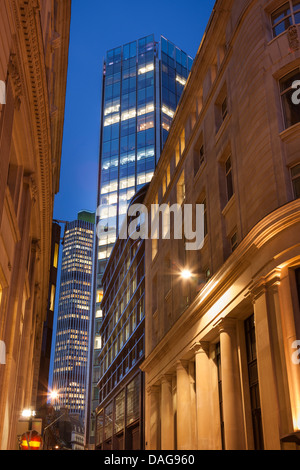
[253, 383]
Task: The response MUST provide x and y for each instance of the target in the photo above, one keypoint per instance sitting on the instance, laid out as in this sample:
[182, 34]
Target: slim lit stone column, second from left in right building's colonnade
[167, 416]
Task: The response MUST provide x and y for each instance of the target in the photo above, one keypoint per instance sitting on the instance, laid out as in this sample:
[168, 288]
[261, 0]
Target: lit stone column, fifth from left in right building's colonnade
[231, 390]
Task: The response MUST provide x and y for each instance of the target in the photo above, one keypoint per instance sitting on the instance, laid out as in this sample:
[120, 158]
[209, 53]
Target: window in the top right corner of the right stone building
[285, 16]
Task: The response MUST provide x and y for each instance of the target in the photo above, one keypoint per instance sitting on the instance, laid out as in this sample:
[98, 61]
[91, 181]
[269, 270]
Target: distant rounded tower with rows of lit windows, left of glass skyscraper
[73, 319]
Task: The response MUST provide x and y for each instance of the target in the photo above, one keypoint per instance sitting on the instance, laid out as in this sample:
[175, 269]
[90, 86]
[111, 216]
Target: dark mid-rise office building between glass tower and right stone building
[120, 414]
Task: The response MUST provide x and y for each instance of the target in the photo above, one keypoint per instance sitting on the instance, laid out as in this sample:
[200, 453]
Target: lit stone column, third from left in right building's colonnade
[184, 410]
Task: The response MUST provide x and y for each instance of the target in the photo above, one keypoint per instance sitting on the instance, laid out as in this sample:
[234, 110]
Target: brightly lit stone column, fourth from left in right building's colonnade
[203, 397]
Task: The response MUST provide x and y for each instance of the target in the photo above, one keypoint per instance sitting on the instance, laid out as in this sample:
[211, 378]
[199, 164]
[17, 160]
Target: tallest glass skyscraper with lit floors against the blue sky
[142, 85]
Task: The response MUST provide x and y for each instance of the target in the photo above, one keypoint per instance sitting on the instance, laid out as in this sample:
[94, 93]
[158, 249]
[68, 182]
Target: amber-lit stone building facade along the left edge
[33, 70]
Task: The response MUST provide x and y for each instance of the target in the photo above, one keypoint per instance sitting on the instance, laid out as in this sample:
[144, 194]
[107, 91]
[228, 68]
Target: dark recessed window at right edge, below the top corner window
[291, 111]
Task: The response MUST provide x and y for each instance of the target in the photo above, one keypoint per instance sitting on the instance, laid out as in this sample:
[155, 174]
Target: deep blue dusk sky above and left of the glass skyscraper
[97, 26]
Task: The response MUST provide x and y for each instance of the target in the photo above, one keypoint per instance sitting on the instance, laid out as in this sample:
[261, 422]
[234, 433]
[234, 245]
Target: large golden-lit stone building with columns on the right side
[222, 366]
